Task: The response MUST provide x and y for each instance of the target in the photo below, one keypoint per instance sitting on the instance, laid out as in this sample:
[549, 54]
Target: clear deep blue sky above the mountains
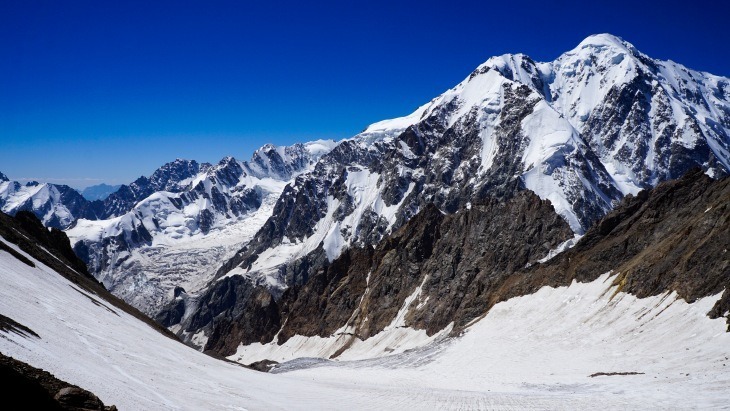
[110, 90]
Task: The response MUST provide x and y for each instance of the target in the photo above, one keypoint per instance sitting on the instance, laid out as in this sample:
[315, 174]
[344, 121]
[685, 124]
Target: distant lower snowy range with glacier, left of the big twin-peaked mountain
[170, 229]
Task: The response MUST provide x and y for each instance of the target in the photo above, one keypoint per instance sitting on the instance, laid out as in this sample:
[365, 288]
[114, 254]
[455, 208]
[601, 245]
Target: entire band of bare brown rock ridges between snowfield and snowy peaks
[673, 238]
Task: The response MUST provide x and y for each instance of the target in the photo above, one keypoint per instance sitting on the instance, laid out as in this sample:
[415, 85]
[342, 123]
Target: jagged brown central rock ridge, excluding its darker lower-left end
[455, 257]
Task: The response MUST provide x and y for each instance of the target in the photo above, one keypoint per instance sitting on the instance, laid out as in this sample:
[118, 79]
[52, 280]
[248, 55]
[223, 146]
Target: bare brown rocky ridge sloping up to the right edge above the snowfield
[672, 238]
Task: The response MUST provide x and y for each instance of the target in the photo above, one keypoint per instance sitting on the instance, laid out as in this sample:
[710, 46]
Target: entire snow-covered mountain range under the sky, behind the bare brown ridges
[600, 122]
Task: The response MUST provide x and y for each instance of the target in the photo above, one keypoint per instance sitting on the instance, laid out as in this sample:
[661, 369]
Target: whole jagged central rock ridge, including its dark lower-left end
[432, 244]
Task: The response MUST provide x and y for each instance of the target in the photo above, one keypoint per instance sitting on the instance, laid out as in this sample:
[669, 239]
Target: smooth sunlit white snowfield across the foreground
[530, 352]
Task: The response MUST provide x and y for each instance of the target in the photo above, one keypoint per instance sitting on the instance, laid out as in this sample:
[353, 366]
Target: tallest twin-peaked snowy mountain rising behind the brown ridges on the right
[600, 122]
